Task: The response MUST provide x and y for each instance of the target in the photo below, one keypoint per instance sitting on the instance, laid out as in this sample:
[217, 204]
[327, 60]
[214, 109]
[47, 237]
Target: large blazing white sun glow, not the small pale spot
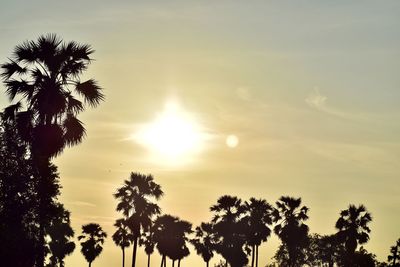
[172, 136]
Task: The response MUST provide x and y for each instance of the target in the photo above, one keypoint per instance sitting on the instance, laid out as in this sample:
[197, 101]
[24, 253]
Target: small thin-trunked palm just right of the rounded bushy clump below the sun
[203, 241]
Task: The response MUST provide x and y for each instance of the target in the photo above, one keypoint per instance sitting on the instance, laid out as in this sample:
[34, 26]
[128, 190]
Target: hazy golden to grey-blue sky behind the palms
[310, 89]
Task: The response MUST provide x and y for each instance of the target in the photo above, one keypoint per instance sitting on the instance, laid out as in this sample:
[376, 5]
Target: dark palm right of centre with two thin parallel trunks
[260, 214]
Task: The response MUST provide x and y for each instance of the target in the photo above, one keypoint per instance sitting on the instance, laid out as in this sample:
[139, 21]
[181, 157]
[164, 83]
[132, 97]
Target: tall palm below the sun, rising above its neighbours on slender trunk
[135, 201]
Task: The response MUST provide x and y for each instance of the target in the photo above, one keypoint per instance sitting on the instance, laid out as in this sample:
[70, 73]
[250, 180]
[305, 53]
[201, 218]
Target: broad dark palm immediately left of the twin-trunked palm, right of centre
[230, 230]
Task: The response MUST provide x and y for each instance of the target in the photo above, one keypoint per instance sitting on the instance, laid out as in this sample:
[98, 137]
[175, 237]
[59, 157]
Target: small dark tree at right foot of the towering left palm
[60, 233]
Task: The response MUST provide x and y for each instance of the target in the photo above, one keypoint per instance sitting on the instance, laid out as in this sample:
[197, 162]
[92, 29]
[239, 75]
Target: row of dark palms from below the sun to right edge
[238, 228]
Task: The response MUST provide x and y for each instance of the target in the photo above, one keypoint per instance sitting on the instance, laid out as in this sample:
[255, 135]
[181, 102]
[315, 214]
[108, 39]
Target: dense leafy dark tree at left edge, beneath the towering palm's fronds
[18, 224]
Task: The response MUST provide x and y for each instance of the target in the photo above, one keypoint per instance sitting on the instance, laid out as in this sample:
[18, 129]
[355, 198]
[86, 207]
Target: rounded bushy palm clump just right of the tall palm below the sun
[170, 235]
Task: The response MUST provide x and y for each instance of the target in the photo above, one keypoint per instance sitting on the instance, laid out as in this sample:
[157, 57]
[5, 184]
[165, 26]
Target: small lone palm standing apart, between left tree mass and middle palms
[93, 239]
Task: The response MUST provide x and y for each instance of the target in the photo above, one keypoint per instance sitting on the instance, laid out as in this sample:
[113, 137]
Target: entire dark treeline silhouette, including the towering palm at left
[42, 80]
